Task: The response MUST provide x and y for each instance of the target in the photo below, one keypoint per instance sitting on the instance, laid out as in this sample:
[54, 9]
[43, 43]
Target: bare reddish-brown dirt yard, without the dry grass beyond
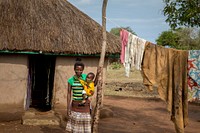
[130, 115]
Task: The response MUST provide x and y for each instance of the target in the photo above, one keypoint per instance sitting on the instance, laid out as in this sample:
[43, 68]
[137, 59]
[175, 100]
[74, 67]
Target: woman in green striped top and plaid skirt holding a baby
[79, 116]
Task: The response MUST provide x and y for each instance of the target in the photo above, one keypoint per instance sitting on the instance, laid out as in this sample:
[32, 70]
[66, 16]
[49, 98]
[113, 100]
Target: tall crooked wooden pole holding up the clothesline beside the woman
[100, 78]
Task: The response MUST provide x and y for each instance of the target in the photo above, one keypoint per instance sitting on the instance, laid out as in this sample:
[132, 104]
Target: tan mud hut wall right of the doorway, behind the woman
[65, 69]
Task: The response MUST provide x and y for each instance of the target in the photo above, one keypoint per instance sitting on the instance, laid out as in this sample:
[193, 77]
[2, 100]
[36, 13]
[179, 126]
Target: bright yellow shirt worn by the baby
[88, 87]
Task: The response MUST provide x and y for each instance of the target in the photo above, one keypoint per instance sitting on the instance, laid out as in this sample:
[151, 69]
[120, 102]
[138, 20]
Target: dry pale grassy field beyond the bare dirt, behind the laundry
[131, 86]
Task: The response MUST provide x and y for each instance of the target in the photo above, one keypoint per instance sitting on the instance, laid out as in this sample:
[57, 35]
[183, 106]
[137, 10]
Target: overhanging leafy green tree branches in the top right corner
[182, 13]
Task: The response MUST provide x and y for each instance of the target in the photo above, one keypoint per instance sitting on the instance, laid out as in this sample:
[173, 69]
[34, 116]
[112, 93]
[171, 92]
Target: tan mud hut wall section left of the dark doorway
[13, 85]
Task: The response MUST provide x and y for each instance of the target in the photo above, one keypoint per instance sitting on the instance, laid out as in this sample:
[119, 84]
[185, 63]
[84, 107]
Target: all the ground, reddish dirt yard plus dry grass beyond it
[130, 109]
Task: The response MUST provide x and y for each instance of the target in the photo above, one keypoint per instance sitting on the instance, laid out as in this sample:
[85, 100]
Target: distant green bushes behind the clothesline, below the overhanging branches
[182, 38]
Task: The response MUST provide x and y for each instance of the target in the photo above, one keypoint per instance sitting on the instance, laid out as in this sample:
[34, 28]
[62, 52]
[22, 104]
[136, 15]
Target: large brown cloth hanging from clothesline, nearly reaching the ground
[166, 69]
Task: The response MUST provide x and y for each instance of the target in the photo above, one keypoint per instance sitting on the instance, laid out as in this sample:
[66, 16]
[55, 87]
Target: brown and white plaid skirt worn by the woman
[79, 122]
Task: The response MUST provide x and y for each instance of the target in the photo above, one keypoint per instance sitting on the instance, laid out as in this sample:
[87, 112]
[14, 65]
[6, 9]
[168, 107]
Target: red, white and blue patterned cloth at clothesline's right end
[194, 75]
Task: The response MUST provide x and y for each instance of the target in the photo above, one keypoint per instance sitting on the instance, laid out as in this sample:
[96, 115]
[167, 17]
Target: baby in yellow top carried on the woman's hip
[88, 86]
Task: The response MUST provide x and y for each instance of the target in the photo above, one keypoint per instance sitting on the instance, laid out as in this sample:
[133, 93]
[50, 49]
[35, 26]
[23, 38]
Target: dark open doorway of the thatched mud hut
[41, 78]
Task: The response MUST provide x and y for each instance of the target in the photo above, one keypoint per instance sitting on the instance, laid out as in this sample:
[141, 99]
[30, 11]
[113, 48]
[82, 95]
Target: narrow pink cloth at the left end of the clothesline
[124, 40]
